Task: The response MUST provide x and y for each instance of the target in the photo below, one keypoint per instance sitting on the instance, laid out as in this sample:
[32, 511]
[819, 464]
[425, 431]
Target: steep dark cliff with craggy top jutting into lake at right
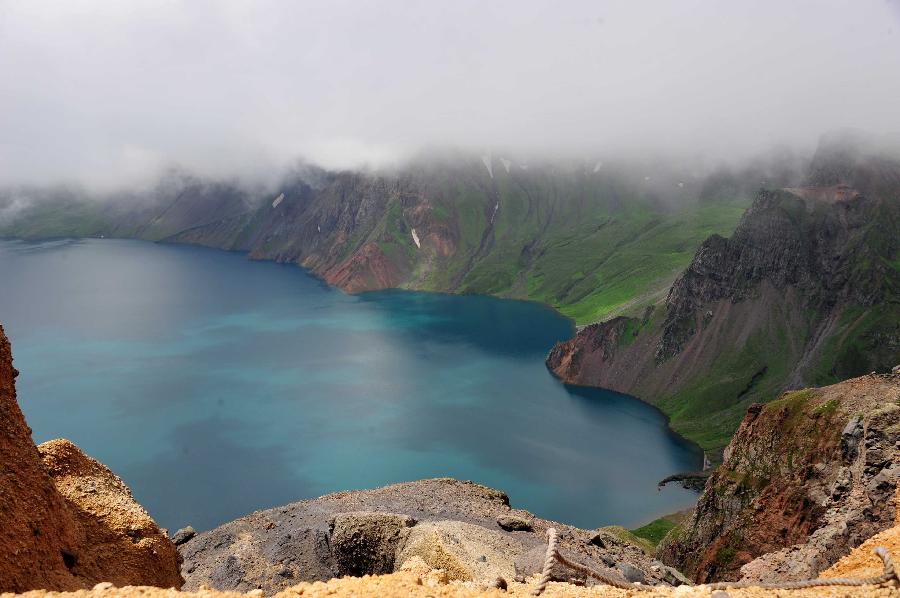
[806, 291]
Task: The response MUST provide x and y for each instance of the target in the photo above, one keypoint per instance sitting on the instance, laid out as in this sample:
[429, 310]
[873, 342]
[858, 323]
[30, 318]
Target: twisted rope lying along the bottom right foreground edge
[553, 556]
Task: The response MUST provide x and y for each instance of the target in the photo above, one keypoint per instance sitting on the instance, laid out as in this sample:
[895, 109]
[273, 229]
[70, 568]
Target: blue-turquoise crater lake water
[215, 386]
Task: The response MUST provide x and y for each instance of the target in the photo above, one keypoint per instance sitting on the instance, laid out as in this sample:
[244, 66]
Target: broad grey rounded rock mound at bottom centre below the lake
[468, 531]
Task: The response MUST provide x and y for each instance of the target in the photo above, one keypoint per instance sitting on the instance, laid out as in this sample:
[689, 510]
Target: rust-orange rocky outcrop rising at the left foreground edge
[66, 521]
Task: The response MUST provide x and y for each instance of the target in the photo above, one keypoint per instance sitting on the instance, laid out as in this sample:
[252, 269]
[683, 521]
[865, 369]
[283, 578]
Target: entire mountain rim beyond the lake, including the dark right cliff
[804, 292]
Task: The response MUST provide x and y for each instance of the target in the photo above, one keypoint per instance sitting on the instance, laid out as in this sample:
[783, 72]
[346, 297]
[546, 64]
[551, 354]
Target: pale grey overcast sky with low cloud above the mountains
[109, 92]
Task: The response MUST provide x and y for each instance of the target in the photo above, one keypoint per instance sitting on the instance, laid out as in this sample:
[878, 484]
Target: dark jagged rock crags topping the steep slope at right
[820, 241]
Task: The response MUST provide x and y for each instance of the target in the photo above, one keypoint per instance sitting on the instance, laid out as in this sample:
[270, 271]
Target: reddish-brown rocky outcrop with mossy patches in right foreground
[805, 479]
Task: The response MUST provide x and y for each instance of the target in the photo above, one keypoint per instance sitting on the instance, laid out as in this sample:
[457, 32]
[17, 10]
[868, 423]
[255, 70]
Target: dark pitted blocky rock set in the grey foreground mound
[367, 543]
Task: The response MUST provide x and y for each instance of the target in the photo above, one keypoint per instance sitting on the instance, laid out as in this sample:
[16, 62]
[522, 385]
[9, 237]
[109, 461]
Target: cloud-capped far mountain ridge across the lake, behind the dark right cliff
[591, 239]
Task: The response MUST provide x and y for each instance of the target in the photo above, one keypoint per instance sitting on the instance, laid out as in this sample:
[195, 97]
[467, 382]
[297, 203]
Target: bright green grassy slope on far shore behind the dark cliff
[610, 264]
